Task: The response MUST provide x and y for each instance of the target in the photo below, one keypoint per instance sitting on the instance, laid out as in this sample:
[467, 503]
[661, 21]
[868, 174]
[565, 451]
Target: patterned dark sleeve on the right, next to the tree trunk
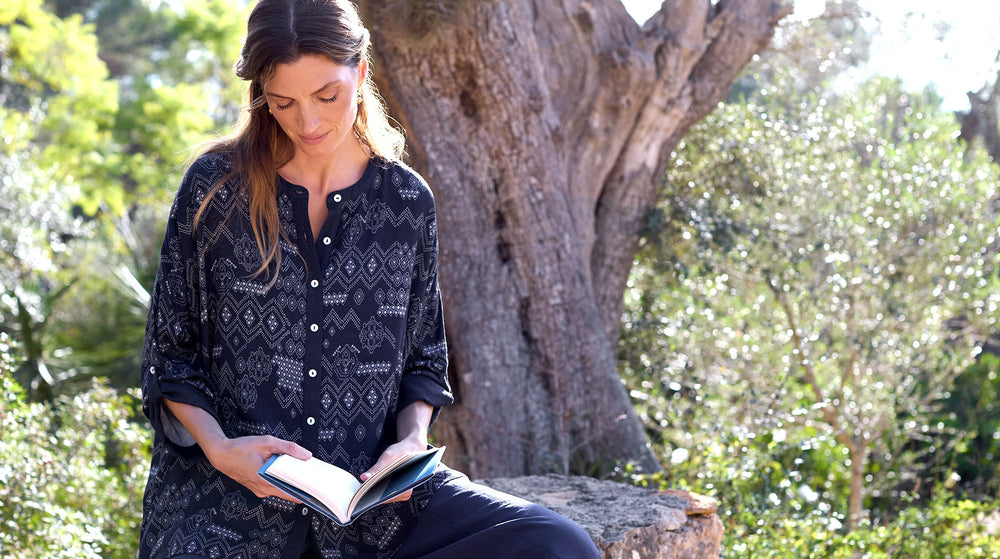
[425, 368]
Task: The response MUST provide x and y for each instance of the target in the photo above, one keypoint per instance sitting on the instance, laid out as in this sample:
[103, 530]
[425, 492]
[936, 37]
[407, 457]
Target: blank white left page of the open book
[328, 484]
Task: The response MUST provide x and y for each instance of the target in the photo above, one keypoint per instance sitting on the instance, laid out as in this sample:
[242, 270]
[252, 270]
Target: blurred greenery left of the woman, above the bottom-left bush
[101, 102]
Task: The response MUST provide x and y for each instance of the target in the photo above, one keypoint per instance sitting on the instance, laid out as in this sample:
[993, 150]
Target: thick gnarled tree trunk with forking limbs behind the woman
[543, 128]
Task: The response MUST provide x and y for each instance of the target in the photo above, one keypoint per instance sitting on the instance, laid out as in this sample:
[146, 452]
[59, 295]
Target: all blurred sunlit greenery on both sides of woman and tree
[807, 331]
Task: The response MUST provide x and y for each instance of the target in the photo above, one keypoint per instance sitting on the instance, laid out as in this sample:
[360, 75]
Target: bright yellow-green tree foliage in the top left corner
[120, 140]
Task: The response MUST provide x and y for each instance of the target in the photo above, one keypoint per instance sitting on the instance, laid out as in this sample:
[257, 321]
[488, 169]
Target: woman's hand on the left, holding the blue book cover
[242, 457]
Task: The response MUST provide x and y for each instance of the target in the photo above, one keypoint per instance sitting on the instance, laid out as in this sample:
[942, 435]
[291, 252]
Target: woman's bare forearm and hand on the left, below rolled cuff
[238, 458]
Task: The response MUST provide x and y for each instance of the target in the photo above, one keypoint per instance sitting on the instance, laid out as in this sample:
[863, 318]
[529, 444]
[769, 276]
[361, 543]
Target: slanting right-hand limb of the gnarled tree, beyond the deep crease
[699, 49]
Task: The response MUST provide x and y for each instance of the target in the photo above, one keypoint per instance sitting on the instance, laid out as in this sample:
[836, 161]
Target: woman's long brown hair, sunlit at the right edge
[280, 32]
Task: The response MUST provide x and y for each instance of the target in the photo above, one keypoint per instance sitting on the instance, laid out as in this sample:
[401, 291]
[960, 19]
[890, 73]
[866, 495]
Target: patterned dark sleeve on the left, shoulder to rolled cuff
[173, 359]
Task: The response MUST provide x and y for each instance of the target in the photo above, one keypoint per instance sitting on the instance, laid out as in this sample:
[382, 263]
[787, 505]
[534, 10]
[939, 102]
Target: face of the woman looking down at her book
[315, 102]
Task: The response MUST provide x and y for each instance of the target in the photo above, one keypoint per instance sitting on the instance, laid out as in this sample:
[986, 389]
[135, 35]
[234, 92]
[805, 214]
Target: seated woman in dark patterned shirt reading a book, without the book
[296, 310]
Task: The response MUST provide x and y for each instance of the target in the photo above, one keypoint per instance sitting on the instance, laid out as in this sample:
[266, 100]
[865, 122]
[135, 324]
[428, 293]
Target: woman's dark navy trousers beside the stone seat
[465, 520]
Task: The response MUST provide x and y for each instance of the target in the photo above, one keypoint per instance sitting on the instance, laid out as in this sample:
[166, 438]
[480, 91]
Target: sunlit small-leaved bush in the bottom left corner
[71, 472]
